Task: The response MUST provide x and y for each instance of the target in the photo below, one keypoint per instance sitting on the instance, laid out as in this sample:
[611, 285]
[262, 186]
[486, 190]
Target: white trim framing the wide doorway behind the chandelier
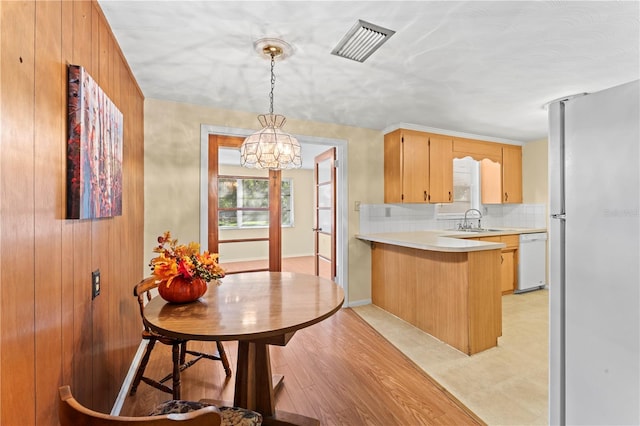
[342, 219]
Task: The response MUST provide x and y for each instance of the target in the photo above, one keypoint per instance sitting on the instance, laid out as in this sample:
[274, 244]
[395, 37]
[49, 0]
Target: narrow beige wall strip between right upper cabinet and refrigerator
[535, 179]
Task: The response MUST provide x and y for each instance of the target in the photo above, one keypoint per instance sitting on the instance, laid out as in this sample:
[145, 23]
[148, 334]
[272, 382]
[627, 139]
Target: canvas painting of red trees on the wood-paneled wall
[94, 150]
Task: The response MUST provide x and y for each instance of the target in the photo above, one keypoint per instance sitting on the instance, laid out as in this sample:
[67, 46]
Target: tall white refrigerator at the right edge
[594, 258]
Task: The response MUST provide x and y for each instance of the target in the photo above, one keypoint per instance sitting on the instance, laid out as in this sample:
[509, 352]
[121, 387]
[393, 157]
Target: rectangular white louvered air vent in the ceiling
[361, 41]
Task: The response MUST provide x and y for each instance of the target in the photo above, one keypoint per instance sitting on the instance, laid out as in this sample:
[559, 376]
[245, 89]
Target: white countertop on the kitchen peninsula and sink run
[446, 240]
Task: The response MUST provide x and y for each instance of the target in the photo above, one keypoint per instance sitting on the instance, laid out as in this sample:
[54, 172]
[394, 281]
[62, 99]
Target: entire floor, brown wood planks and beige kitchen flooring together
[346, 372]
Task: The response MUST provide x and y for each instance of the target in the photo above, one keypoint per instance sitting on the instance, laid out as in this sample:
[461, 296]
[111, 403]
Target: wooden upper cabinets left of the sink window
[418, 167]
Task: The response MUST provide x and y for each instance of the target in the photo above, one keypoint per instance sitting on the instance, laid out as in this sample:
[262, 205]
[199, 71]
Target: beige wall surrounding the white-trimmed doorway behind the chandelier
[172, 174]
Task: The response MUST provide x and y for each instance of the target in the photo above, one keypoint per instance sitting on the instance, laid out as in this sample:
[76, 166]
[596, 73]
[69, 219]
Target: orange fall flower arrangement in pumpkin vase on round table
[182, 270]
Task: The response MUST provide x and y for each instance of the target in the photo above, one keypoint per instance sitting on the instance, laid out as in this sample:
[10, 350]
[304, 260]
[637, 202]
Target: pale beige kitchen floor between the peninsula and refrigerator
[506, 385]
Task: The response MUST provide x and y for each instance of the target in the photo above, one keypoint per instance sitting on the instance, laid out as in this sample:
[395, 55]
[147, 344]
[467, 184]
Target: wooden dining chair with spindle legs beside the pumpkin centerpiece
[142, 291]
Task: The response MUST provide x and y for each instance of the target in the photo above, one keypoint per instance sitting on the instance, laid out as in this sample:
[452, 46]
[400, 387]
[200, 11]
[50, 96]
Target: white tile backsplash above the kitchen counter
[376, 218]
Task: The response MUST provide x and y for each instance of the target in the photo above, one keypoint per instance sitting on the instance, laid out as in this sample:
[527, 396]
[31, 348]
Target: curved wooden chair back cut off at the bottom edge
[72, 413]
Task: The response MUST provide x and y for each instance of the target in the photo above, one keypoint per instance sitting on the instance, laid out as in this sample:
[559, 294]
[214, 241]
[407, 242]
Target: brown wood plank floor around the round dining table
[340, 371]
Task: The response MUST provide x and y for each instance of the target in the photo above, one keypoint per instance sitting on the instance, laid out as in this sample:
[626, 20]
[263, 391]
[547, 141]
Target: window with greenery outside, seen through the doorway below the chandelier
[244, 202]
